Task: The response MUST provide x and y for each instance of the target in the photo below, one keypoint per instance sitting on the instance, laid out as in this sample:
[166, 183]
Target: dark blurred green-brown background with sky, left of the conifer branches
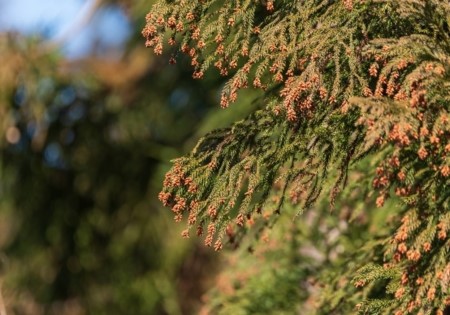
[89, 120]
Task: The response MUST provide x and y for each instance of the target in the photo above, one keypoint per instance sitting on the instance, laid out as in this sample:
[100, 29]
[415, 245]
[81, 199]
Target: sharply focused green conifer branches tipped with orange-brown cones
[343, 80]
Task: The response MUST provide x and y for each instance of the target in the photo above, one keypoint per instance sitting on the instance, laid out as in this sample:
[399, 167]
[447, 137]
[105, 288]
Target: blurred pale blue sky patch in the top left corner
[106, 32]
